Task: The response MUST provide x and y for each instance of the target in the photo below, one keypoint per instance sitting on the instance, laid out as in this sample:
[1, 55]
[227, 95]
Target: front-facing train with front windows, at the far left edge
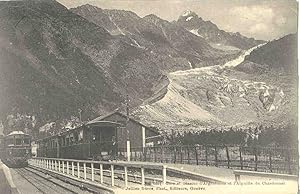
[16, 149]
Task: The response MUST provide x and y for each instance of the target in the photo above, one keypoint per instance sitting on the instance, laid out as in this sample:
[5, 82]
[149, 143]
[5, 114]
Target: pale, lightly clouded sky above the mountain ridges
[261, 19]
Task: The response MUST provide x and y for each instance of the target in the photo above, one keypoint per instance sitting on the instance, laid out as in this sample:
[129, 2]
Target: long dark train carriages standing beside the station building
[91, 141]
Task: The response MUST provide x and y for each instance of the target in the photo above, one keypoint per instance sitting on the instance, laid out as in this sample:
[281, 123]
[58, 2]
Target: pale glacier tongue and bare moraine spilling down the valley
[221, 97]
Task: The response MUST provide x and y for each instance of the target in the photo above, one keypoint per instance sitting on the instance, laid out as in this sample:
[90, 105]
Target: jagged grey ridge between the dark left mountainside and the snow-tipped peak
[173, 43]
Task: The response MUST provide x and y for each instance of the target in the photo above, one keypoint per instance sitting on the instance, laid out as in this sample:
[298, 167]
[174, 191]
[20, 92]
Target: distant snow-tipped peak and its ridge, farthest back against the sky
[210, 32]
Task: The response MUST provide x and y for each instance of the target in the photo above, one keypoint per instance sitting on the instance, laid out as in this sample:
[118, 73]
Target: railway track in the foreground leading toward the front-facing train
[47, 184]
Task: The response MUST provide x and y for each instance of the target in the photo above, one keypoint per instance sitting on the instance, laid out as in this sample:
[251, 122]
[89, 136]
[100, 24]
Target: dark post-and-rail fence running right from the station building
[264, 159]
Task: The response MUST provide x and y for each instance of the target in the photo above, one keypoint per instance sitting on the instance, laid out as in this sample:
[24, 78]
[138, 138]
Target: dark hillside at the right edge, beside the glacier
[276, 63]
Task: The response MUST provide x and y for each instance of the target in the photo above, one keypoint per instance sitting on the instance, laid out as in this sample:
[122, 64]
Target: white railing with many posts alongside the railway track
[88, 170]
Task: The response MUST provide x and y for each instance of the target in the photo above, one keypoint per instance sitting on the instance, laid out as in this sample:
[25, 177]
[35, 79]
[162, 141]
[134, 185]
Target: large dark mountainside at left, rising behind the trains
[51, 65]
